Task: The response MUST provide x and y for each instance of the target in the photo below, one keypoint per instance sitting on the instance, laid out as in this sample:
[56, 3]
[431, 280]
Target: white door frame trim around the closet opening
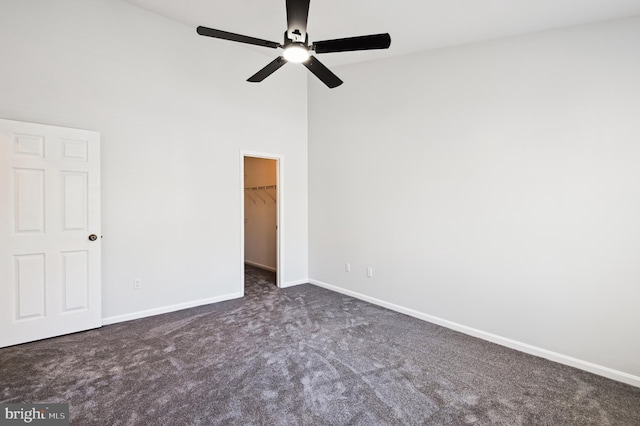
[279, 159]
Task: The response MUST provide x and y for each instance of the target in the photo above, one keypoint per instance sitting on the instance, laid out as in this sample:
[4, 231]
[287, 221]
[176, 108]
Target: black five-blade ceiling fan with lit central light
[296, 45]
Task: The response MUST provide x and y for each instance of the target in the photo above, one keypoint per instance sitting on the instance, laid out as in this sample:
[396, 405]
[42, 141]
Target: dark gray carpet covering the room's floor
[302, 356]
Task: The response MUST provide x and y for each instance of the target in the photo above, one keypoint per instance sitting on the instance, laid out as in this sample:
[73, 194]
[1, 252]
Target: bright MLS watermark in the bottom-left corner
[34, 414]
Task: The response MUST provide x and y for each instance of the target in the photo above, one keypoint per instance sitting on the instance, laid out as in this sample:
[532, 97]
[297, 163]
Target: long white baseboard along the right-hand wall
[513, 344]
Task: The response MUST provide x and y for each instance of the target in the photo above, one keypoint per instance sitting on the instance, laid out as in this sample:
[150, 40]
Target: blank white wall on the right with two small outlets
[495, 186]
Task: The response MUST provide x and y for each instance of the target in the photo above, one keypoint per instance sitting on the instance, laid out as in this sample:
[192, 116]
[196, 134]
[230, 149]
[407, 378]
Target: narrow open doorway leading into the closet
[260, 213]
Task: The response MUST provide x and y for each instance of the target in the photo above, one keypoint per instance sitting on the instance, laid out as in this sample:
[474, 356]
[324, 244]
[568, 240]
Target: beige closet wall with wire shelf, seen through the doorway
[260, 214]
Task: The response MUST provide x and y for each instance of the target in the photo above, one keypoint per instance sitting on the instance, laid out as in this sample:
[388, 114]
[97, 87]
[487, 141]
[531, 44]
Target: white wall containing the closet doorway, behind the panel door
[174, 111]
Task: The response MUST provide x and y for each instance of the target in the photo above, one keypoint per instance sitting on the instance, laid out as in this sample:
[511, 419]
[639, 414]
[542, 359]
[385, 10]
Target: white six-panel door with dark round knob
[49, 207]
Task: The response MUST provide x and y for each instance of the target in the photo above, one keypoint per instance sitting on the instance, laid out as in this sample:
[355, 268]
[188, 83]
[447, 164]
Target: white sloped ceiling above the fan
[414, 25]
